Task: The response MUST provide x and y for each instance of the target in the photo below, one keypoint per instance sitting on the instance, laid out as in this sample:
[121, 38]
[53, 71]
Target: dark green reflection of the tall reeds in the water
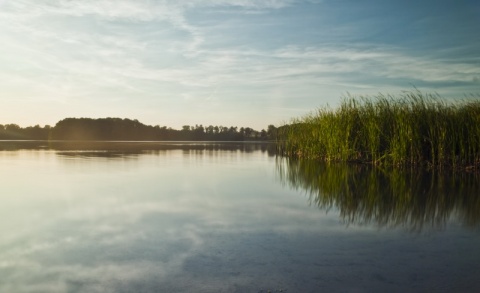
[409, 198]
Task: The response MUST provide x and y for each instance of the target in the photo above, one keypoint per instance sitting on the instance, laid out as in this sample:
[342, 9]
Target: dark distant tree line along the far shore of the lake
[131, 130]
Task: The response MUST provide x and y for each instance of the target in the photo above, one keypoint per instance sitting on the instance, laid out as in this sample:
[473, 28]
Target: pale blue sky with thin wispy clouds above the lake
[246, 63]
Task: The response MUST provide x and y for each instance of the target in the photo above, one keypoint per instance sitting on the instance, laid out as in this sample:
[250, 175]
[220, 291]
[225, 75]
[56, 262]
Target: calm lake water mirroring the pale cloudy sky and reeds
[228, 218]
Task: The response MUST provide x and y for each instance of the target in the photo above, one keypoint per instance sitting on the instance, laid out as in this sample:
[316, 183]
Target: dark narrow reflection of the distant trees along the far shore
[117, 149]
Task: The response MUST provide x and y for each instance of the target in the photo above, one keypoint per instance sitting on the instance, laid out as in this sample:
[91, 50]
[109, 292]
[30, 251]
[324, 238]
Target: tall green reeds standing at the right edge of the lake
[411, 130]
